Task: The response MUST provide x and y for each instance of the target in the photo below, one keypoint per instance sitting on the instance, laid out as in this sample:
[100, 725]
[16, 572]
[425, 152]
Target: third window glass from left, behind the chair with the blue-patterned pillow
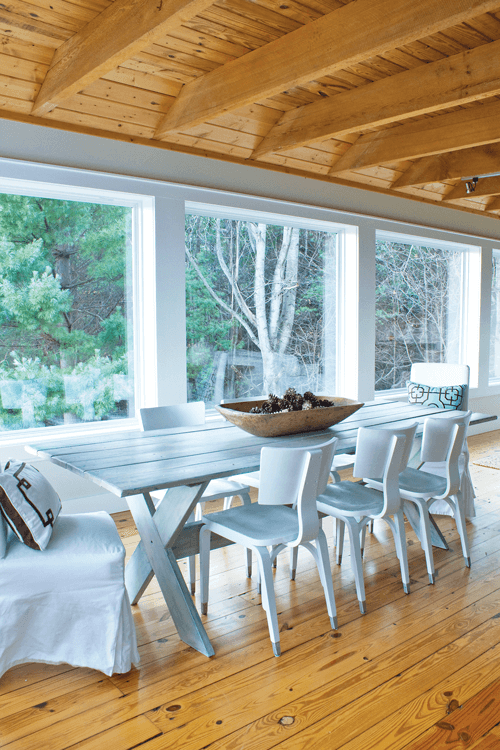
[418, 297]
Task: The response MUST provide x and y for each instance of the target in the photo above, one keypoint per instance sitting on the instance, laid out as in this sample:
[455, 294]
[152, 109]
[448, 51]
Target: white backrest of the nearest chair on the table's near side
[296, 476]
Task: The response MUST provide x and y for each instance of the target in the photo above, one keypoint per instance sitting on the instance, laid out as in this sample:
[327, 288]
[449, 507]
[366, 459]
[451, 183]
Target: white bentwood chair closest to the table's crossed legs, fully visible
[289, 476]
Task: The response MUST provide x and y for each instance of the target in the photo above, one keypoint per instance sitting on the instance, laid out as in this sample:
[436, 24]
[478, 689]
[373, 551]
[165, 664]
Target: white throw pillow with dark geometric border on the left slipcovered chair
[29, 503]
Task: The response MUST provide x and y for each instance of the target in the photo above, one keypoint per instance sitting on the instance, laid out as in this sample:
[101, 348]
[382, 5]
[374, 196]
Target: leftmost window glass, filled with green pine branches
[64, 311]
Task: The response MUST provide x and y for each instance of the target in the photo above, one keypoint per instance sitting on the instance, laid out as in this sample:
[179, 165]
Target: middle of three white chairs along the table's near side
[380, 453]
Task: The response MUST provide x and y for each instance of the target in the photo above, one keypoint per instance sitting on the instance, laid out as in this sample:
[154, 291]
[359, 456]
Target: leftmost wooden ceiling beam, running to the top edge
[115, 35]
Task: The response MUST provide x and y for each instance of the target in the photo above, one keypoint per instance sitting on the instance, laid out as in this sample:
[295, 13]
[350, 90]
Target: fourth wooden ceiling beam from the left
[453, 131]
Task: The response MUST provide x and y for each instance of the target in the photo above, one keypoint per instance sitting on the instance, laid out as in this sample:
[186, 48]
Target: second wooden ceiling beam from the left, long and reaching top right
[343, 37]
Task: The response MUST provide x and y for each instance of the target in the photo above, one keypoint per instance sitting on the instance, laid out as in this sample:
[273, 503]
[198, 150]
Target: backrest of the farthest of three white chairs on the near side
[443, 440]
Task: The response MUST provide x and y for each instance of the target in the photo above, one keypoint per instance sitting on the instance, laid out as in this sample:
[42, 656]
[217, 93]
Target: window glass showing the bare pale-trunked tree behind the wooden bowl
[260, 305]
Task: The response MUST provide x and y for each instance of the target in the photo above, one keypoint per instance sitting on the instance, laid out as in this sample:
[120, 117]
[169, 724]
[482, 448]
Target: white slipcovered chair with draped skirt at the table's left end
[67, 603]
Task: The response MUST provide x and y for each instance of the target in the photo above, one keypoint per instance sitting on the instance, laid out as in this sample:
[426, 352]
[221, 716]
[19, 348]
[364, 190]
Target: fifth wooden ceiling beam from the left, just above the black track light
[465, 163]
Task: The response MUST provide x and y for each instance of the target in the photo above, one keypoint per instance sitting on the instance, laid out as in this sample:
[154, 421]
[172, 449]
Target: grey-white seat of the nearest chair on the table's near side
[263, 525]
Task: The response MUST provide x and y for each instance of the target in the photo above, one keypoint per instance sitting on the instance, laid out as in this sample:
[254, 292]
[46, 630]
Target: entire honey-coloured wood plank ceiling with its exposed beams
[400, 96]
